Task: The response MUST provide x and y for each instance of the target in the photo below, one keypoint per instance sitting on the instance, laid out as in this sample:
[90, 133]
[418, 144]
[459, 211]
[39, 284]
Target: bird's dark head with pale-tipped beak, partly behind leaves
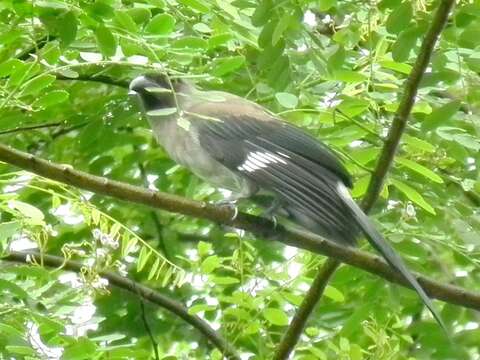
[155, 91]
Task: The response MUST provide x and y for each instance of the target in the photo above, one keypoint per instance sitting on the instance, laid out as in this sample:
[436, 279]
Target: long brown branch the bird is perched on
[264, 228]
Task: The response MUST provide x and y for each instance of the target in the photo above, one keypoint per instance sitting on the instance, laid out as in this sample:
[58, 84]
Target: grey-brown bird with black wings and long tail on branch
[236, 144]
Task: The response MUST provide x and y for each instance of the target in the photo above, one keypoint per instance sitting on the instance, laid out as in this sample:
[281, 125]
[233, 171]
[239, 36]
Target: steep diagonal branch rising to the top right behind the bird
[295, 329]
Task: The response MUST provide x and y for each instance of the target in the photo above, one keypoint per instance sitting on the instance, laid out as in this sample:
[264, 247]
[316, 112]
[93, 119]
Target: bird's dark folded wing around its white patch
[305, 179]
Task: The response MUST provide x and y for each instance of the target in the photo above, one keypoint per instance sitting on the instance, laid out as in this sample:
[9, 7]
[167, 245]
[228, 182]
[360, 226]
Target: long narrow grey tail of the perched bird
[392, 258]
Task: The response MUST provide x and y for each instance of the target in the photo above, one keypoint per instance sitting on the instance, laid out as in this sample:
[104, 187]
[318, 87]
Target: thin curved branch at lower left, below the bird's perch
[135, 288]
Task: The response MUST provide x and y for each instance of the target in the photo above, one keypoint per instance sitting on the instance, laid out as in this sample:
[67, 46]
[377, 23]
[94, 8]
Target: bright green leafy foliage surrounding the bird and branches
[335, 68]
